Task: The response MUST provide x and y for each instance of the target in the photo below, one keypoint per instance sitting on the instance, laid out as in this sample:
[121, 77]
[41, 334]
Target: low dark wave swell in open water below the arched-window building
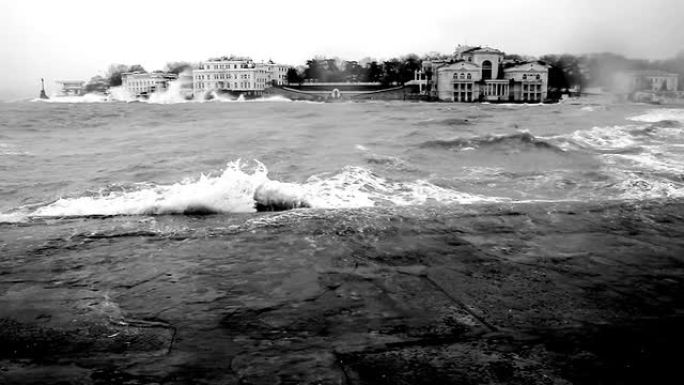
[512, 141]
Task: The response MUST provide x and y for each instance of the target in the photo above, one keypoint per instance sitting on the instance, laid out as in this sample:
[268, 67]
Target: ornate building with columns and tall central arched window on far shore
[477, 74]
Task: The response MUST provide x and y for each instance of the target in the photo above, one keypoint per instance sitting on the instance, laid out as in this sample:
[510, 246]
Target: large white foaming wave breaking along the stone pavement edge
[244, 188]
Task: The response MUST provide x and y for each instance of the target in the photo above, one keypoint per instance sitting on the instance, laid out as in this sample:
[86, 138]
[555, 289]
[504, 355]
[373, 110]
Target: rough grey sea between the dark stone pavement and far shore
[90, 156]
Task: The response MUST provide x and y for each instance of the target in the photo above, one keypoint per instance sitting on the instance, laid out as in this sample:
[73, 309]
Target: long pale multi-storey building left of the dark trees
[237, 76]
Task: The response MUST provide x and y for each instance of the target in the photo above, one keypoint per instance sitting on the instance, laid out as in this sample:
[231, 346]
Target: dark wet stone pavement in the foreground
[571, 293]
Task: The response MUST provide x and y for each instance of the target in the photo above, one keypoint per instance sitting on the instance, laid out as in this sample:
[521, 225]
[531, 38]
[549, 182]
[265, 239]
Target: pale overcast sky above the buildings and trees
[76, 39]
